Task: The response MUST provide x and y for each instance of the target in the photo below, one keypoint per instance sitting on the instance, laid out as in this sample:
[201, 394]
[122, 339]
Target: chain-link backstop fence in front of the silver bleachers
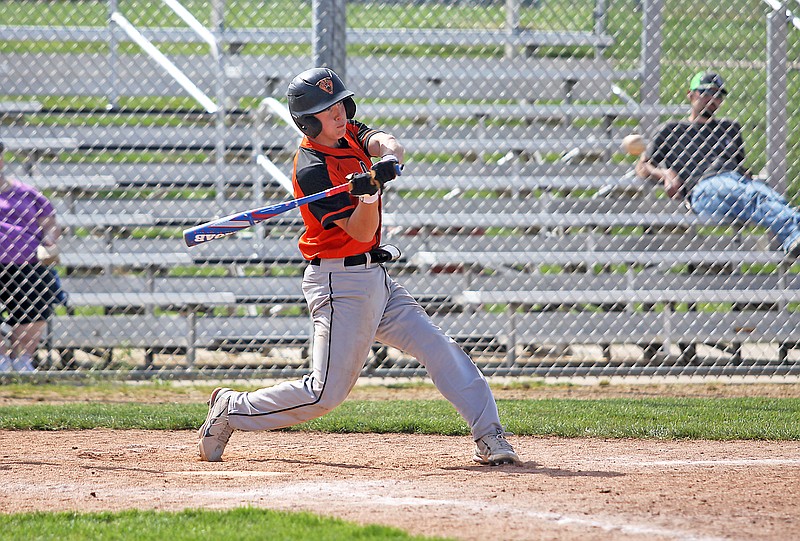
[525, 232]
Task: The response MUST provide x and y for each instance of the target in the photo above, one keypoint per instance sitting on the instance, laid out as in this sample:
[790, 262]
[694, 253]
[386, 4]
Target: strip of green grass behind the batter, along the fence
[754, 418]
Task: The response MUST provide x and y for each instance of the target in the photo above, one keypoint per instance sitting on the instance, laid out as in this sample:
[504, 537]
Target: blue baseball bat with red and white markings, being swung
[231, 224]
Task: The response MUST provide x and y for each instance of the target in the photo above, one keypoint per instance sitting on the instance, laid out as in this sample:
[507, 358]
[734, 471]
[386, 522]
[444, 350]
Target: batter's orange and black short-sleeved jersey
[317, 168]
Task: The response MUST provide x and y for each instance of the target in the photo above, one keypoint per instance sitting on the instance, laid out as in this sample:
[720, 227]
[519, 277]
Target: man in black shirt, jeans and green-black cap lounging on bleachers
[701, 160]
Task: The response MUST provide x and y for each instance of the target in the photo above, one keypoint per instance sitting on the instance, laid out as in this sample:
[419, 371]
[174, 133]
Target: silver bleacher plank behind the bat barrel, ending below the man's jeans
[404, 212]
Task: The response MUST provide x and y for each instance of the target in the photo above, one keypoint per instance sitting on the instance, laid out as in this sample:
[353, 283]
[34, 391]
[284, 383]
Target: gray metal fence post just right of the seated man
[777, 34]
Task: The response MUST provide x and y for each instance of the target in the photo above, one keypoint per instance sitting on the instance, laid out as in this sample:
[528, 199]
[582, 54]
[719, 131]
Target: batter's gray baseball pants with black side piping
[351, 307]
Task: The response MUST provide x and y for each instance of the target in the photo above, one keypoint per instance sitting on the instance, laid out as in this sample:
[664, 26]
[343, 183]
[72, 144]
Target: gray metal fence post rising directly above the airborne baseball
[652, 40]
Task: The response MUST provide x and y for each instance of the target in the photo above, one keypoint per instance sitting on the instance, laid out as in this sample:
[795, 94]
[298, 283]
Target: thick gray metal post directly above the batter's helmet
[329, 39]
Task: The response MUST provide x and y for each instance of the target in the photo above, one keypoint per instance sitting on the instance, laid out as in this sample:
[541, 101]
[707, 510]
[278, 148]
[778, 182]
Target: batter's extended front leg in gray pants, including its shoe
[406, 326]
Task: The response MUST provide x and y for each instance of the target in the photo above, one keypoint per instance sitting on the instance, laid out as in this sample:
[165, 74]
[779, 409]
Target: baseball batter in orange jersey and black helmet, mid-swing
[351, 297]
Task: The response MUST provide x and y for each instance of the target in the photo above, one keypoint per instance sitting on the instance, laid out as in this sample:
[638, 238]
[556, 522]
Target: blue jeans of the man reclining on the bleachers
[731, 196]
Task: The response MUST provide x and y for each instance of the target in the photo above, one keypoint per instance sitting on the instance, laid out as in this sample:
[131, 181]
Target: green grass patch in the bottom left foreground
[241, 524]
